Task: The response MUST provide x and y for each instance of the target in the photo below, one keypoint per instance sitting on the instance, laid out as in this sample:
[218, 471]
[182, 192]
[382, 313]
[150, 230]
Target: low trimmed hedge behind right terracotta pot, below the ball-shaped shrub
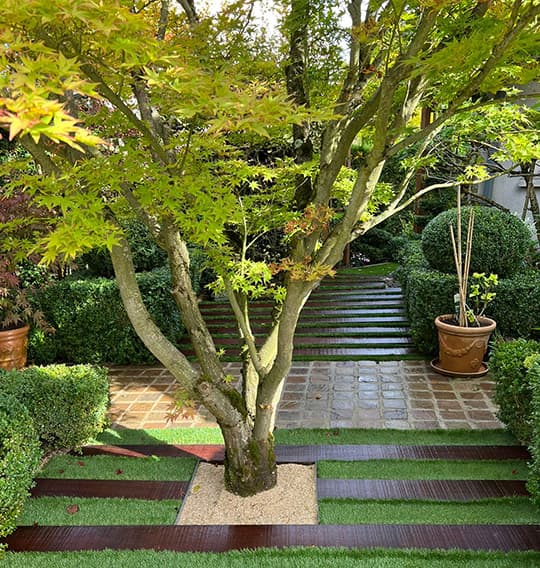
[429, 293]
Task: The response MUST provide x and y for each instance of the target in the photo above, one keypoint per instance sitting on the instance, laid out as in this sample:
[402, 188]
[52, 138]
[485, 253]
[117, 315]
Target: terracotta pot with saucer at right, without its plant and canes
[462, 349]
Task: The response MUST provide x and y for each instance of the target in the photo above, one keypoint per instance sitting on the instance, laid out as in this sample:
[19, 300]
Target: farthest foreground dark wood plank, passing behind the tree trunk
[312, 454]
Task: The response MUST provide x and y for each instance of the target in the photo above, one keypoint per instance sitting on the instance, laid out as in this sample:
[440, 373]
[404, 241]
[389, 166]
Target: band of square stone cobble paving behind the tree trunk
[326, 394]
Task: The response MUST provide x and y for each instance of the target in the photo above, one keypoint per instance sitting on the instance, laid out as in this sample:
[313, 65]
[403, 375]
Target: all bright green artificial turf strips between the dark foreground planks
[61, 511]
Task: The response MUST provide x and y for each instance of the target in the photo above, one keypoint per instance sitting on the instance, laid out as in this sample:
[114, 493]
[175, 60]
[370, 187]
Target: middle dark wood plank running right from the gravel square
[434, 490]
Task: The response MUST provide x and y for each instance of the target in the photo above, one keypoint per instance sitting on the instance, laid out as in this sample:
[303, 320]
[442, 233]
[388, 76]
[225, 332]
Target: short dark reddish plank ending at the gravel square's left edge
[128, 489]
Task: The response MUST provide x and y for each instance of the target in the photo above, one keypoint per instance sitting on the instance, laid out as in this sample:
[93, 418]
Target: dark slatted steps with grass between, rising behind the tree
[348, 317]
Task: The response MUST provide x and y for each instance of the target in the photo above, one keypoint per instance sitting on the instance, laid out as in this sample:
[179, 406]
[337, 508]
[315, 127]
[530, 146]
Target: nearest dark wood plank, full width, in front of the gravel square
[217, 538]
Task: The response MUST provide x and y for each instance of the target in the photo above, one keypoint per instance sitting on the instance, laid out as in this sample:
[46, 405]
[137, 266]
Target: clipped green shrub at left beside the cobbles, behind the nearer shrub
[67, 404]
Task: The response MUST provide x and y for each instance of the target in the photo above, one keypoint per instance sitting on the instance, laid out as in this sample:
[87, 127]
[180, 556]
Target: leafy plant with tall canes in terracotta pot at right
[464, 336]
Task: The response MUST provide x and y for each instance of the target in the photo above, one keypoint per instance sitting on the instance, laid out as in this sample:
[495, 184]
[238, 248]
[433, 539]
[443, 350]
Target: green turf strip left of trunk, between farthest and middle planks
[152, 468]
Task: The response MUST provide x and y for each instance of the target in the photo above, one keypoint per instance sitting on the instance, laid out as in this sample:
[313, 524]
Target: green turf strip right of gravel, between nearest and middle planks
[511, 511]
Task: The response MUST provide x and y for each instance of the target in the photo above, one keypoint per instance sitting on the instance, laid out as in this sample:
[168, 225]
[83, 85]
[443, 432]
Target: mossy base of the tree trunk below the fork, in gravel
[250, 464]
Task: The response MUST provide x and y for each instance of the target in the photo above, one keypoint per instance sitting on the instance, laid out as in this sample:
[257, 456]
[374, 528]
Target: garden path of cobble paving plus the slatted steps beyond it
[354, 367]
